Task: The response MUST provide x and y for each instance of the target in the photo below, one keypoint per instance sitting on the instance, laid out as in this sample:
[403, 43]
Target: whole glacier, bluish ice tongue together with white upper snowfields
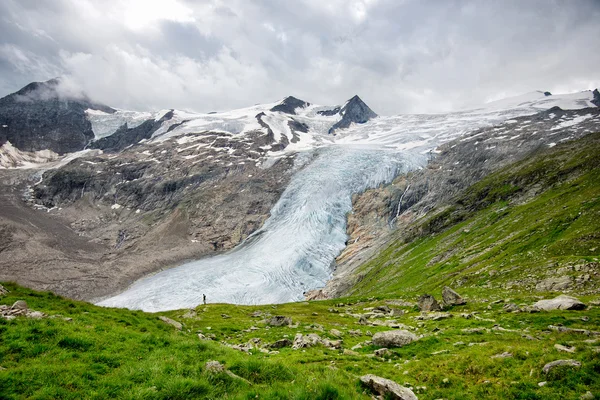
[295, 250]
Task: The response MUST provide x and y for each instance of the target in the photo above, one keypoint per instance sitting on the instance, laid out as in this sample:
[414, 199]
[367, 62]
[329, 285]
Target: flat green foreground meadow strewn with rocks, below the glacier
[112, 353]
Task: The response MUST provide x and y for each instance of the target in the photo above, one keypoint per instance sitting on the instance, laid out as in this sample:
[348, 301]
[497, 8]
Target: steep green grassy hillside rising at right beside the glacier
[536, 219]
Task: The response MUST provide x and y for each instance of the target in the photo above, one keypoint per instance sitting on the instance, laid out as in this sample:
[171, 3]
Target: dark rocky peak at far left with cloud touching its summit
[43, 115]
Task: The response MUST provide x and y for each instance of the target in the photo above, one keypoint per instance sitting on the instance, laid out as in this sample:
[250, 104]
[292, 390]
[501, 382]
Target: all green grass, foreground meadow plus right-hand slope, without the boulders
[109, 353]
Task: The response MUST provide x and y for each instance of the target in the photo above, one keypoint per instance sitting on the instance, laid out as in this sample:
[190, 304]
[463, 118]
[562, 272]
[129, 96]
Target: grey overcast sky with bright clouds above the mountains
[399, 56]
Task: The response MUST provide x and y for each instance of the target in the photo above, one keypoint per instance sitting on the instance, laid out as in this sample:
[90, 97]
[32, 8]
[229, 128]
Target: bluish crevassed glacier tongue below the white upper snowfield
[293, 251]
